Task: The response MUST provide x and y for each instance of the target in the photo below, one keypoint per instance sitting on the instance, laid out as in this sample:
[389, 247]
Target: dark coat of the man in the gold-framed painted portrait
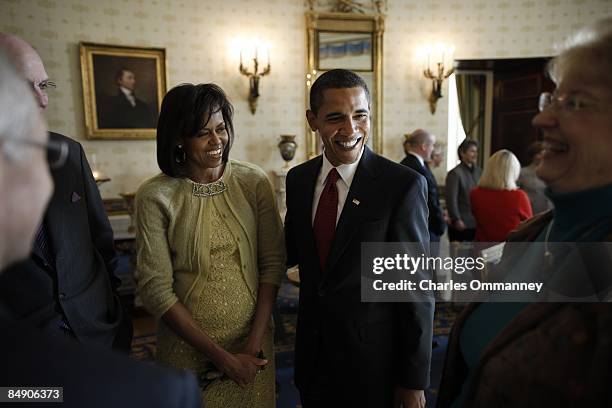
[123, 115]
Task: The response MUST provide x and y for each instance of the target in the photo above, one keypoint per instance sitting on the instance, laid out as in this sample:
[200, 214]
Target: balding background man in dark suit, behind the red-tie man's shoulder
[419, 146]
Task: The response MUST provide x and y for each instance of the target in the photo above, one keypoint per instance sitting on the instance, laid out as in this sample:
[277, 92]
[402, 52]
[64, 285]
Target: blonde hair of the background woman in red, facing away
[501, 171]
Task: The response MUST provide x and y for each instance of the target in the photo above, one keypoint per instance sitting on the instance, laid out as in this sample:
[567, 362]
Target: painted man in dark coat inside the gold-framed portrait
[126, 110]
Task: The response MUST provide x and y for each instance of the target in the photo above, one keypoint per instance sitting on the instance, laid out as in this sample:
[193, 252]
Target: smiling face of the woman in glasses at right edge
[577, 143]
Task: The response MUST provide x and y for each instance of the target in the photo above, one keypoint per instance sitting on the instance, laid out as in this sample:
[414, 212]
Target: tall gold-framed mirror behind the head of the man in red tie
[363, 35]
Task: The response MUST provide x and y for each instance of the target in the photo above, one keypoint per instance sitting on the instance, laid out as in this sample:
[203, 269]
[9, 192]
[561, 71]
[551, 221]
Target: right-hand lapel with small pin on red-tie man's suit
[362, 189]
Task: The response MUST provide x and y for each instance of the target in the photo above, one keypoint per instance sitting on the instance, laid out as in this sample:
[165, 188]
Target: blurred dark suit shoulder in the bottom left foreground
[91, 377]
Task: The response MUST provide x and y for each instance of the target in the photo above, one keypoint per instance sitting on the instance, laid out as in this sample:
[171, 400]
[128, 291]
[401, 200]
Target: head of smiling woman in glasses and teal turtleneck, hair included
[576, 120]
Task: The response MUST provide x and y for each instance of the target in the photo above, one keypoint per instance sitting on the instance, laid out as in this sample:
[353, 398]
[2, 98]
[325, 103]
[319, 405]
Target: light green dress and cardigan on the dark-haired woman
[210, 247]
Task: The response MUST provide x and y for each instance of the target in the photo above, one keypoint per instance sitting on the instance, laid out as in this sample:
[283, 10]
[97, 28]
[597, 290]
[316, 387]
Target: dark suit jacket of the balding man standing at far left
[82, 282]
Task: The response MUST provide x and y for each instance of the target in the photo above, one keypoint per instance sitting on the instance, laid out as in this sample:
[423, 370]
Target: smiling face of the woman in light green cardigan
[204, 151]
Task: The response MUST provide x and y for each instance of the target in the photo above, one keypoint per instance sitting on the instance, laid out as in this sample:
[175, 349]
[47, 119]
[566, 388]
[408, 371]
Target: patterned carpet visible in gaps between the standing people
[285, 317]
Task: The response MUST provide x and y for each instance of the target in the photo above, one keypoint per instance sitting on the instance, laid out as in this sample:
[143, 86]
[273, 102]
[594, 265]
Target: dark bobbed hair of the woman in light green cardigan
[186, 108]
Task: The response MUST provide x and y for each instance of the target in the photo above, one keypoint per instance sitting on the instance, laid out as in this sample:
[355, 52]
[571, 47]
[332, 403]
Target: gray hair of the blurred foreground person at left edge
[17, 107]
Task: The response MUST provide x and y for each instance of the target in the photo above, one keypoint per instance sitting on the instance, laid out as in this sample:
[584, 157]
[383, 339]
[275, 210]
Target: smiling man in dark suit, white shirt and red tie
[348, 352]
